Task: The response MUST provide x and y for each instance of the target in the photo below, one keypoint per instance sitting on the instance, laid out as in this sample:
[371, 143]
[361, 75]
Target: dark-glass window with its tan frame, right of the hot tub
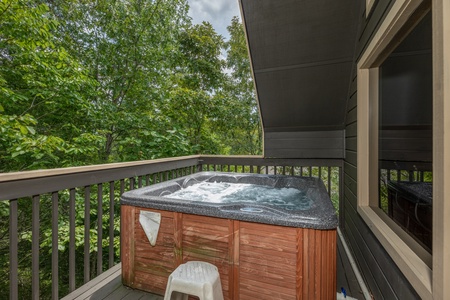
[395, 126]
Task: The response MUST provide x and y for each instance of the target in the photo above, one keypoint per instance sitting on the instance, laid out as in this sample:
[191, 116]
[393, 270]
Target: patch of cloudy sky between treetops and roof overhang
[216, 12]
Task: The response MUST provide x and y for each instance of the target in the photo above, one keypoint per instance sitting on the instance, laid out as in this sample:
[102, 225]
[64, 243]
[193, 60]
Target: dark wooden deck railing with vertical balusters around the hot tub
[78, 210]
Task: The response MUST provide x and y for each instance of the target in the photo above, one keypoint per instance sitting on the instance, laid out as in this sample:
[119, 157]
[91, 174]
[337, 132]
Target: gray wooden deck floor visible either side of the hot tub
[109, 285]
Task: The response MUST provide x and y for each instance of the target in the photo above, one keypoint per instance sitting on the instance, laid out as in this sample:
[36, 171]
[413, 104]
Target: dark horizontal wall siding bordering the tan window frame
[384, 279]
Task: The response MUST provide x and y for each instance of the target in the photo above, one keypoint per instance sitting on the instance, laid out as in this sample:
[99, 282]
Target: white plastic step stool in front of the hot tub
[194, 278]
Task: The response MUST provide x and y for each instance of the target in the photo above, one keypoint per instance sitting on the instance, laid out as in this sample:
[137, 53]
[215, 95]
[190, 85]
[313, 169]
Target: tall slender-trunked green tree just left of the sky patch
[127, 46]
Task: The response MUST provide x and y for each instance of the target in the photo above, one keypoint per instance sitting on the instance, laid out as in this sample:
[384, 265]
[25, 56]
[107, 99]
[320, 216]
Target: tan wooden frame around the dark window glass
[428, 282]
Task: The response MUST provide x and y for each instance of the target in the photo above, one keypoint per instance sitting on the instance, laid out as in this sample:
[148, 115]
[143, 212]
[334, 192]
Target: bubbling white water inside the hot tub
[224, 192]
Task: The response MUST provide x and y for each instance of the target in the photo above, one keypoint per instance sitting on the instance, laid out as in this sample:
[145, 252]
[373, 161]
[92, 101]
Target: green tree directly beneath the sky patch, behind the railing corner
[198, 76]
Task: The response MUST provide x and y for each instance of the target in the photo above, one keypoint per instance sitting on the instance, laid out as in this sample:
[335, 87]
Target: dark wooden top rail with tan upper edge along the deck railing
[24, 184]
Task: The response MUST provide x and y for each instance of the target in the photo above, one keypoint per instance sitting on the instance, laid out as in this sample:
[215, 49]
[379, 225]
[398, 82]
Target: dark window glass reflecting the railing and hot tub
[405, 134]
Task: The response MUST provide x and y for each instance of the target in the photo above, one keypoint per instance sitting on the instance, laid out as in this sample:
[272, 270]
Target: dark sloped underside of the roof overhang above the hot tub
[302, 54]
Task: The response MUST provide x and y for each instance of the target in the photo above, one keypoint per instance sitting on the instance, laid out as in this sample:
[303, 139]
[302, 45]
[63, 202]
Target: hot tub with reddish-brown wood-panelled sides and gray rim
[263, 250]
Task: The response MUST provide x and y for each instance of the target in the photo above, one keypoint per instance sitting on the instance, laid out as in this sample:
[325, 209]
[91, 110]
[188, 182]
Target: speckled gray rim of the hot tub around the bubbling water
[321, 215]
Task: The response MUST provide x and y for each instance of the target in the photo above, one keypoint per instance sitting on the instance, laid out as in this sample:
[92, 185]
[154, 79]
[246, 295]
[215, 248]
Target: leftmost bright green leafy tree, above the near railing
[41, 88]
